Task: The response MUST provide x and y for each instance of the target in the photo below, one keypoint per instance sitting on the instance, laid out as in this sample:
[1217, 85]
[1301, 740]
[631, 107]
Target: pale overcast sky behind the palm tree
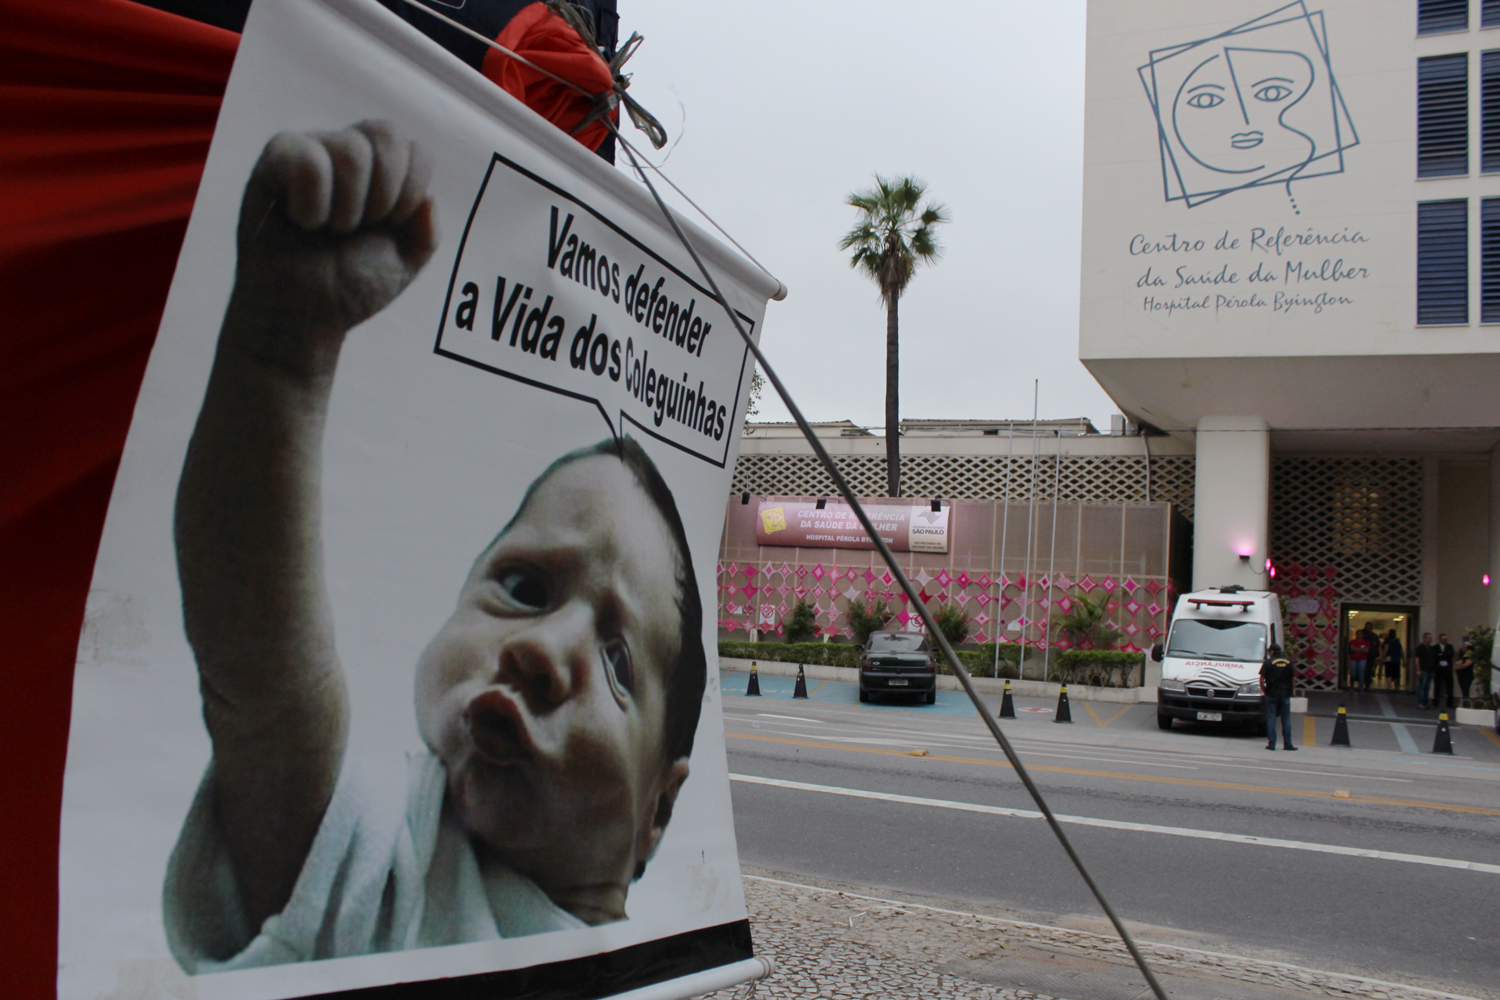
[793, 106]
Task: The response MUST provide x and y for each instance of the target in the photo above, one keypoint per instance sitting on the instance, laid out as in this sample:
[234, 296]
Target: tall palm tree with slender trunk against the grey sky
[892, 238]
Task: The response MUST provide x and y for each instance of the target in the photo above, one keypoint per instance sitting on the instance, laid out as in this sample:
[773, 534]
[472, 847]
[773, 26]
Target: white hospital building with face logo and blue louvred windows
[1292, 269]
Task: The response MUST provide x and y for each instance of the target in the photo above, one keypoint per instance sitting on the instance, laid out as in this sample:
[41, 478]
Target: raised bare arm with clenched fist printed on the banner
[332, 229]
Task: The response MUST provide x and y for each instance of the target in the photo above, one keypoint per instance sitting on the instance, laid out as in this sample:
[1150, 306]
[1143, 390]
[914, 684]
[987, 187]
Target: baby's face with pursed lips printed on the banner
[545, 693]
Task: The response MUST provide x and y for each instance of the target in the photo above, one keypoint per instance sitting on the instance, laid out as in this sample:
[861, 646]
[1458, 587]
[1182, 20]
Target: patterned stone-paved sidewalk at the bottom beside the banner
[848, 944]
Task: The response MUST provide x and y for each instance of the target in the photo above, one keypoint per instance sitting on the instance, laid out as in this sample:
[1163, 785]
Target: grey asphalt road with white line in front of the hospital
[1367, 876]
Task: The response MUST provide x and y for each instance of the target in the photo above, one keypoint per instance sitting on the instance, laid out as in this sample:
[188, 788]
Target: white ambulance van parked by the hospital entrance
[1211, 662]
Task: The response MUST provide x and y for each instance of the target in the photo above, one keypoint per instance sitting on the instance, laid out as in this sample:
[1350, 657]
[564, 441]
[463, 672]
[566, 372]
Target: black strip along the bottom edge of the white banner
[589, 978]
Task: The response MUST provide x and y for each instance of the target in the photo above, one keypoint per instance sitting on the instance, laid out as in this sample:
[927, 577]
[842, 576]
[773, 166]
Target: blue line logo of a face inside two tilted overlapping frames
[1250, 107]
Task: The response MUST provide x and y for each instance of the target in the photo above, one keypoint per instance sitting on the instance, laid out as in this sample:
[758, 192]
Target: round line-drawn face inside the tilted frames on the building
[1231, 112]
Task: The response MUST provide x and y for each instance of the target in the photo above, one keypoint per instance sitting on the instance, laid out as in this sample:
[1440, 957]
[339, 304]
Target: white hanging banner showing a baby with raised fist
[419, 513]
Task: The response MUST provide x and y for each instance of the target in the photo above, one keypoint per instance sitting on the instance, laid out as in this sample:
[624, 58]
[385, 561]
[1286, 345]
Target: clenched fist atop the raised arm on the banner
[334, 227]
